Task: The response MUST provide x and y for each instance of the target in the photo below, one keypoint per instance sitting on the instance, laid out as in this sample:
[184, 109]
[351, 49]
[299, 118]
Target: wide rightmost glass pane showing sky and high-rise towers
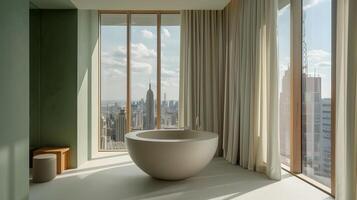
[316, 91]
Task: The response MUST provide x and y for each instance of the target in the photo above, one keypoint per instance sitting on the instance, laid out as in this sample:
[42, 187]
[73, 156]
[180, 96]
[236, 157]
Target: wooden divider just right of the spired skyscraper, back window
[158, 99]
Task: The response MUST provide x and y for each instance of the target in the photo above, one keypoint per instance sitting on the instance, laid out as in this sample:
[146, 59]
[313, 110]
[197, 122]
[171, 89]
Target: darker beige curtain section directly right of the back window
[201, 70]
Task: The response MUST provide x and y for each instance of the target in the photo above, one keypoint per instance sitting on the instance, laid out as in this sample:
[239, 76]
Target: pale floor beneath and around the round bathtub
[219, 180]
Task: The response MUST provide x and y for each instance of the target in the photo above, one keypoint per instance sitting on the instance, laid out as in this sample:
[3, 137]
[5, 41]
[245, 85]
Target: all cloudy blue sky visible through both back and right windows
[143, 48]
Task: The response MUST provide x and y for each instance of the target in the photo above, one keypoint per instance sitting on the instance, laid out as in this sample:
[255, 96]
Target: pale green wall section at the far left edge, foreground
[14, 99]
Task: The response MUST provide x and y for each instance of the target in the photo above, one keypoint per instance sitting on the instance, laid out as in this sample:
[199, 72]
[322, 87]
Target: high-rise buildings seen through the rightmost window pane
[316, 130]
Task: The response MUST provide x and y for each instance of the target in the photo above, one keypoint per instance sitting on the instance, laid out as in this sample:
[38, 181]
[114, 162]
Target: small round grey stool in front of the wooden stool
[44, 168]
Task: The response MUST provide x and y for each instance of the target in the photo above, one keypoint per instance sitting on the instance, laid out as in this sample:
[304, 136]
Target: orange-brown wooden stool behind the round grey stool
[62, 154]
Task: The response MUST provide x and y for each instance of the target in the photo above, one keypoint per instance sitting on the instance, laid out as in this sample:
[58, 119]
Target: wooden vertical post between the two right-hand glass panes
[296, 100]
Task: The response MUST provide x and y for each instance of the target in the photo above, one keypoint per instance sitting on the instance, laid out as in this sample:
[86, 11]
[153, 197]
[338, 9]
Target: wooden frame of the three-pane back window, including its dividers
[129, 14]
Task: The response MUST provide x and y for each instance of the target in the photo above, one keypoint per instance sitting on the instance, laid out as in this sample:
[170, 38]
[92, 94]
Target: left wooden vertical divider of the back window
[128, 85]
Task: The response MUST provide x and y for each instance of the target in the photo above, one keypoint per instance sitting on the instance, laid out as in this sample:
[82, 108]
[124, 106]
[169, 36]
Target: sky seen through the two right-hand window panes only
[317, 27]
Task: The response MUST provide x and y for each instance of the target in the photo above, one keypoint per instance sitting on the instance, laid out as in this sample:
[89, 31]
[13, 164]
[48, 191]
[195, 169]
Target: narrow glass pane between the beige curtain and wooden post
[284, 79]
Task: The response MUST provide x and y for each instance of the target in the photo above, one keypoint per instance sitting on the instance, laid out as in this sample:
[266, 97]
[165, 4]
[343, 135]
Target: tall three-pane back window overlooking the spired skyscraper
[139, 74]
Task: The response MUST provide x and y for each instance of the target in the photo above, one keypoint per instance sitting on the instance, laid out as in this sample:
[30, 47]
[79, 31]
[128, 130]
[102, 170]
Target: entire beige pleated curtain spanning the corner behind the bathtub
[228, 81]
